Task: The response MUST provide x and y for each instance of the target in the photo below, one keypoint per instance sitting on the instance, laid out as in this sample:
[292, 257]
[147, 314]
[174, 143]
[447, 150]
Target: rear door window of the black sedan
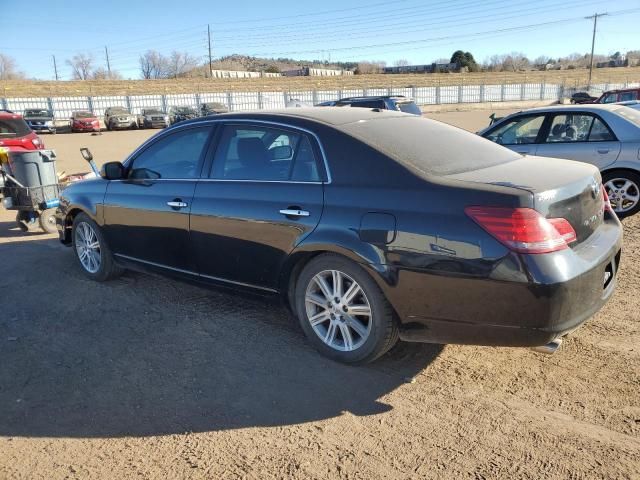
[264, 153]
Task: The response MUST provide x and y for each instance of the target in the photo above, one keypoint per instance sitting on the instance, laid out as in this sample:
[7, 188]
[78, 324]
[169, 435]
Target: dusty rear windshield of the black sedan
[429, 147]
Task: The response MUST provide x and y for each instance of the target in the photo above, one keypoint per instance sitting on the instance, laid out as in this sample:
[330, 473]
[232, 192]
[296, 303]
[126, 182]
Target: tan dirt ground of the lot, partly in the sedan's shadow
[144, 377]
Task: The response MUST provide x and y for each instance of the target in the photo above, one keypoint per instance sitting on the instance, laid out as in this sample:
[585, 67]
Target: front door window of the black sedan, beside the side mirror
[176, 156]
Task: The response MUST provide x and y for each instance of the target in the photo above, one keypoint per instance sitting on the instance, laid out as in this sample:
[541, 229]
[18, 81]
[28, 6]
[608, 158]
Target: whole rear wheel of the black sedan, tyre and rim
[343, 312]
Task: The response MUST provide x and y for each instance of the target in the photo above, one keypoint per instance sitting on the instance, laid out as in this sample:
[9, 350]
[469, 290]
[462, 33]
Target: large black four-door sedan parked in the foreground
[371, 225]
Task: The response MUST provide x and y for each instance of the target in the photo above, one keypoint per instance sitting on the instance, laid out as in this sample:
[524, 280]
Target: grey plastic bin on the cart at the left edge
[33, 168]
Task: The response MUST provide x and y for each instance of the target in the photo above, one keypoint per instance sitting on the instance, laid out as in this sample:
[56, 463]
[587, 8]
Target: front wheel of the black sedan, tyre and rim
[91, 250]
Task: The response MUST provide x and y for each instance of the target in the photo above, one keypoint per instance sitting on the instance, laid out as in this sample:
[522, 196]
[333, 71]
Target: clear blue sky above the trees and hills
[418, 31]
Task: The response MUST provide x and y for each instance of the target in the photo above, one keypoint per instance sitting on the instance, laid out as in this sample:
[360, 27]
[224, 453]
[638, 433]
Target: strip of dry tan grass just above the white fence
[571, 78]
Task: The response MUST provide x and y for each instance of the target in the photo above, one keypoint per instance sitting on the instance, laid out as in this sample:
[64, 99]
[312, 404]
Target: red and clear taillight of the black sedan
[524, 230]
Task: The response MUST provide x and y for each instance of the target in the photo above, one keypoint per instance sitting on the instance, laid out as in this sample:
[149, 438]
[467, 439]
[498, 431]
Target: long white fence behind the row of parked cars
[237, 101]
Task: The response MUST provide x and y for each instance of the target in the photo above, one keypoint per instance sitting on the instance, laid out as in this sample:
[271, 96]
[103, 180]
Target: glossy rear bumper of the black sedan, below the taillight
[555, 296]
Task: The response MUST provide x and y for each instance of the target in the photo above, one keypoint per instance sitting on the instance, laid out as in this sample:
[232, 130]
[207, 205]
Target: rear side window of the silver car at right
[578, 127]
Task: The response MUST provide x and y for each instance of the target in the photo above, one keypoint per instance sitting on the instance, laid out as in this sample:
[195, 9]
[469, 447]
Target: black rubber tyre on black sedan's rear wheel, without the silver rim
[381, 324]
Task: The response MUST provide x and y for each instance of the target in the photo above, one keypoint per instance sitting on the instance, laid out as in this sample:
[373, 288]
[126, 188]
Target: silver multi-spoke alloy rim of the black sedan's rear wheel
[338, 310]
